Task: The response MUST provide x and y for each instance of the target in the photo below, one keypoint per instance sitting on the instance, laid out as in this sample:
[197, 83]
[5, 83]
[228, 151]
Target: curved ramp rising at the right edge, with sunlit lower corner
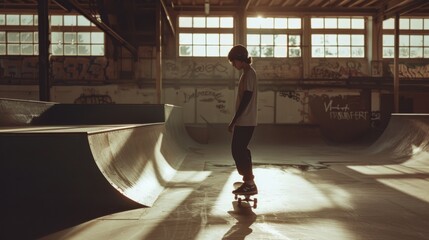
[406, 138]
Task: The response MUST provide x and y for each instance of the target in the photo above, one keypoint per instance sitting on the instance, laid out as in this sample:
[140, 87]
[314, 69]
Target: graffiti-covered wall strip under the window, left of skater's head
[197, 69]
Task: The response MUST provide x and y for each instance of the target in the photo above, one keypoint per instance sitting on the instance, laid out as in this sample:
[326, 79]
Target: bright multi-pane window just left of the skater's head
[205, 36]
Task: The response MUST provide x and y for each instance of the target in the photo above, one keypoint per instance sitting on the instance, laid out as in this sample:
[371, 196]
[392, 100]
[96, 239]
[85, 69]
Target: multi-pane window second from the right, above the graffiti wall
[338, 37]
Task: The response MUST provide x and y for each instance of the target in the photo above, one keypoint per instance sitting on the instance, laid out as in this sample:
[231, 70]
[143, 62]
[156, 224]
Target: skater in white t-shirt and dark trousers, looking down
[245, 118]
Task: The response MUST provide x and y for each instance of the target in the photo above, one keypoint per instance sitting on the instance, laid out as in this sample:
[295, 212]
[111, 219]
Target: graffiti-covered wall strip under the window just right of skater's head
[278, 68]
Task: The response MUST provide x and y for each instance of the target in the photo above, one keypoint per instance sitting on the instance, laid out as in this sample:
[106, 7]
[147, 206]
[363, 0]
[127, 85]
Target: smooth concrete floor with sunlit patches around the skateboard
[308, 190]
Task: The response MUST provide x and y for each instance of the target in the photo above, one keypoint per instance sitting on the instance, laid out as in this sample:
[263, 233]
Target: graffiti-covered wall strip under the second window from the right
[334, 69]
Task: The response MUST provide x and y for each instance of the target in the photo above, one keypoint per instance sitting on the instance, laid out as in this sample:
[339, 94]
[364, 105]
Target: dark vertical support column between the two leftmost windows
[43, 27]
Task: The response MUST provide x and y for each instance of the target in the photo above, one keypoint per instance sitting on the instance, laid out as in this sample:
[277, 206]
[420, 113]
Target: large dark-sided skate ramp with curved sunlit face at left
[59, 173]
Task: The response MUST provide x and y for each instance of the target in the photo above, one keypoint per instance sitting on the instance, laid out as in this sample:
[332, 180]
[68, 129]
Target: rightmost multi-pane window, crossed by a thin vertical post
[413, 38]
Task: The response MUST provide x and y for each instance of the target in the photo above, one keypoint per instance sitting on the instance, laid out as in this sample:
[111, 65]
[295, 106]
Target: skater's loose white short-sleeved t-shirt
[248, 82]
